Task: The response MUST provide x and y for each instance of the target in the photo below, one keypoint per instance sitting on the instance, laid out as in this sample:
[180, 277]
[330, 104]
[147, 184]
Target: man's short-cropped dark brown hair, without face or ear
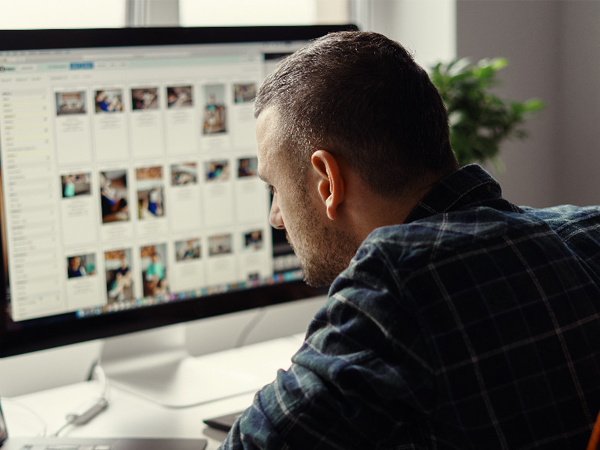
[362, 97]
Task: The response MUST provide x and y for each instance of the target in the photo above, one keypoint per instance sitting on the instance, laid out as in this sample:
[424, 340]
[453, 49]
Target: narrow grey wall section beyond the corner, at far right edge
[578, 127]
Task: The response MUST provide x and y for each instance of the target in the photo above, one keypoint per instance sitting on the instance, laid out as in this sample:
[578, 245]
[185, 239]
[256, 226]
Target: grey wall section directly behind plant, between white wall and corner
[527, 34]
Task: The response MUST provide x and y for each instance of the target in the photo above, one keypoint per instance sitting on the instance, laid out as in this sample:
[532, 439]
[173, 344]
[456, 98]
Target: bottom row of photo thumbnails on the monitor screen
[154, 267]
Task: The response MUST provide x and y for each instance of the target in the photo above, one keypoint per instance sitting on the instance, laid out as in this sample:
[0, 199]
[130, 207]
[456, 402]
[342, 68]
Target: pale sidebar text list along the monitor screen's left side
[30, 202]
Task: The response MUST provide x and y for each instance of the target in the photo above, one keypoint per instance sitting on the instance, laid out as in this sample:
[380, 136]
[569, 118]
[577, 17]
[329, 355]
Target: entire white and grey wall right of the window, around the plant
[553, 48]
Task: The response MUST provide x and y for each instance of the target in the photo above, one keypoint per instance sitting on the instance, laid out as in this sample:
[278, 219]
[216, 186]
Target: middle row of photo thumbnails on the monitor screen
[150, 186]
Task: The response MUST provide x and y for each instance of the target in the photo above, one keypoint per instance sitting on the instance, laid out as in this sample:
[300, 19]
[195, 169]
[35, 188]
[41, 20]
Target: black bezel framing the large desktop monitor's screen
[34, 335]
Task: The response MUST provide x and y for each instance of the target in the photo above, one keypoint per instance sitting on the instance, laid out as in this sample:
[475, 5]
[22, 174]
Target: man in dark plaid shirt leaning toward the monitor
[455, 320]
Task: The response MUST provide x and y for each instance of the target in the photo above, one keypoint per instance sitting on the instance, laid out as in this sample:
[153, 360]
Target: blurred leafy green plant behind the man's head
[479, 121]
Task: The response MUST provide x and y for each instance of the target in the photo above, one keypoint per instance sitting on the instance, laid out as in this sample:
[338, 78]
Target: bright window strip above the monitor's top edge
[23, 14]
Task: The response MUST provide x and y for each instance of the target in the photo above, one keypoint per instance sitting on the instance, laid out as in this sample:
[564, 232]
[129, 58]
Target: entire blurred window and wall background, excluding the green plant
[553, 49]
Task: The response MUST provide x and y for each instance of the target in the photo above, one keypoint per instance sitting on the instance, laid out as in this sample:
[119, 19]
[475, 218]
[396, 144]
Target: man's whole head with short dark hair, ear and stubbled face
[349, 106]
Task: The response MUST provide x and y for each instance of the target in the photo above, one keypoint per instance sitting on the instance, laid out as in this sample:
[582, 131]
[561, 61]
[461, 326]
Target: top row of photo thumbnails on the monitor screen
[111, 101]
